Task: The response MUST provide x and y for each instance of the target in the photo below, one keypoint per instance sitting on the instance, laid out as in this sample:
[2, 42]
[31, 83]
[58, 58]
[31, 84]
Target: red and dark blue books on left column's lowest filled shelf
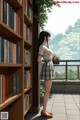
[15, 86]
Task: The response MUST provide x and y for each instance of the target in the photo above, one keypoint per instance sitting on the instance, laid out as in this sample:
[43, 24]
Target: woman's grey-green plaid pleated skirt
[47, 70]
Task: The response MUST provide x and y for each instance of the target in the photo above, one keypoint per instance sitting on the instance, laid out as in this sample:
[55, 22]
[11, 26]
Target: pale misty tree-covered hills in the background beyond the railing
[67, 45]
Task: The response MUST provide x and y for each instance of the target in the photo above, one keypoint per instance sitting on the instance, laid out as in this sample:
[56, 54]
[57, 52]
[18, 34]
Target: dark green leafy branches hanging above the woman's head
[44, 6]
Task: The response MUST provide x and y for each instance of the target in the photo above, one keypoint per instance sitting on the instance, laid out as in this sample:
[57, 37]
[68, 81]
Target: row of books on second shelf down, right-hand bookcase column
[27, 34]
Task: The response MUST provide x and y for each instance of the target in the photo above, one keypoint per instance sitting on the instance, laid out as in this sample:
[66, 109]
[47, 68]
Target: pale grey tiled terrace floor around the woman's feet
[63, 107]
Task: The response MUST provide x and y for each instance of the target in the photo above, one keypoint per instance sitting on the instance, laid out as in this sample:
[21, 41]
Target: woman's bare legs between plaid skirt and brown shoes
[48, 84]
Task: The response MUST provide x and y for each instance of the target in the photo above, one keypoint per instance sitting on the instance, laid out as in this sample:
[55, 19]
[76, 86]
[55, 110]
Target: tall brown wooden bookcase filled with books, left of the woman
[16, 68]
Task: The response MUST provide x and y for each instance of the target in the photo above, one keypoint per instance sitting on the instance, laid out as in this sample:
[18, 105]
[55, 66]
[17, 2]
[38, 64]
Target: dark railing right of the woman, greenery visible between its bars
[67, 70]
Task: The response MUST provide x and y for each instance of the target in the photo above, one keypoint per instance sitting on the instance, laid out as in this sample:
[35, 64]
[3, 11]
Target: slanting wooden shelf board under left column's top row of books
[8, 33]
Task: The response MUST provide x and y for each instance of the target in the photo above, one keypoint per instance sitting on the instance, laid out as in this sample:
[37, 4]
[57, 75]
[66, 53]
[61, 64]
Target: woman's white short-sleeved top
[45, 51]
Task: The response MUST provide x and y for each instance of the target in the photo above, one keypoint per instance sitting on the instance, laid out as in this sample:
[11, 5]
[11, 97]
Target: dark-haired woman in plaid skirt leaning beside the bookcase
[47, 71]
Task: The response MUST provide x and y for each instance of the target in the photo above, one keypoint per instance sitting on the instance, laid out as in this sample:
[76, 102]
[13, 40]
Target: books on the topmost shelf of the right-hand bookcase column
[28, 10]
